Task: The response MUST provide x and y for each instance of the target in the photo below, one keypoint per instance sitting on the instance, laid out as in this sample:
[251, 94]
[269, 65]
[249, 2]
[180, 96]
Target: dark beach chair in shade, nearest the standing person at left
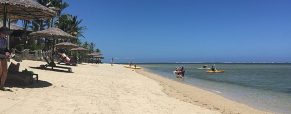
[24, 77]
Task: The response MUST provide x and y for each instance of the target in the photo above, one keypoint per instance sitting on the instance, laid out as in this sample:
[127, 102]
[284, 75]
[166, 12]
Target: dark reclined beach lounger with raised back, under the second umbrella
[52, 65]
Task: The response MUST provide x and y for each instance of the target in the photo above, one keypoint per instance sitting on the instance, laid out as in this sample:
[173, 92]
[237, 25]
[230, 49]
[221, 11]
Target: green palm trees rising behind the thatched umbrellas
[67, 22]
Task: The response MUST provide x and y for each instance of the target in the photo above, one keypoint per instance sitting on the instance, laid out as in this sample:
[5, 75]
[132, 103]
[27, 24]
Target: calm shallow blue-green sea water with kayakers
[263, 86]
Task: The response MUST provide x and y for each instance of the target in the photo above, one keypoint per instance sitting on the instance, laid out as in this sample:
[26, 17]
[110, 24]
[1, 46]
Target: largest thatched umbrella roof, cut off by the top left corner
[25, 9]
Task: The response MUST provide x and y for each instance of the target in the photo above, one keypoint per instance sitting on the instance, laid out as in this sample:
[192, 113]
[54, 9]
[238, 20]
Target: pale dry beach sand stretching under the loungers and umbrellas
[92, 88]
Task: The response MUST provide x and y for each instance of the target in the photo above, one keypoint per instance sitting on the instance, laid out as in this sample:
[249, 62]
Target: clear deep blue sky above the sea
[187, 30]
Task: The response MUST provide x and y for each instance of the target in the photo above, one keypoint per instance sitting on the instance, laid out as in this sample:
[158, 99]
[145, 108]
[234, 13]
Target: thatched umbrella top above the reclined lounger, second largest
[53, 33]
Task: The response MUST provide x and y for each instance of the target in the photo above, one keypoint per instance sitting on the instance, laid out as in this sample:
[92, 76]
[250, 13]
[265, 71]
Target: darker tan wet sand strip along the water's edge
[197, 96]
